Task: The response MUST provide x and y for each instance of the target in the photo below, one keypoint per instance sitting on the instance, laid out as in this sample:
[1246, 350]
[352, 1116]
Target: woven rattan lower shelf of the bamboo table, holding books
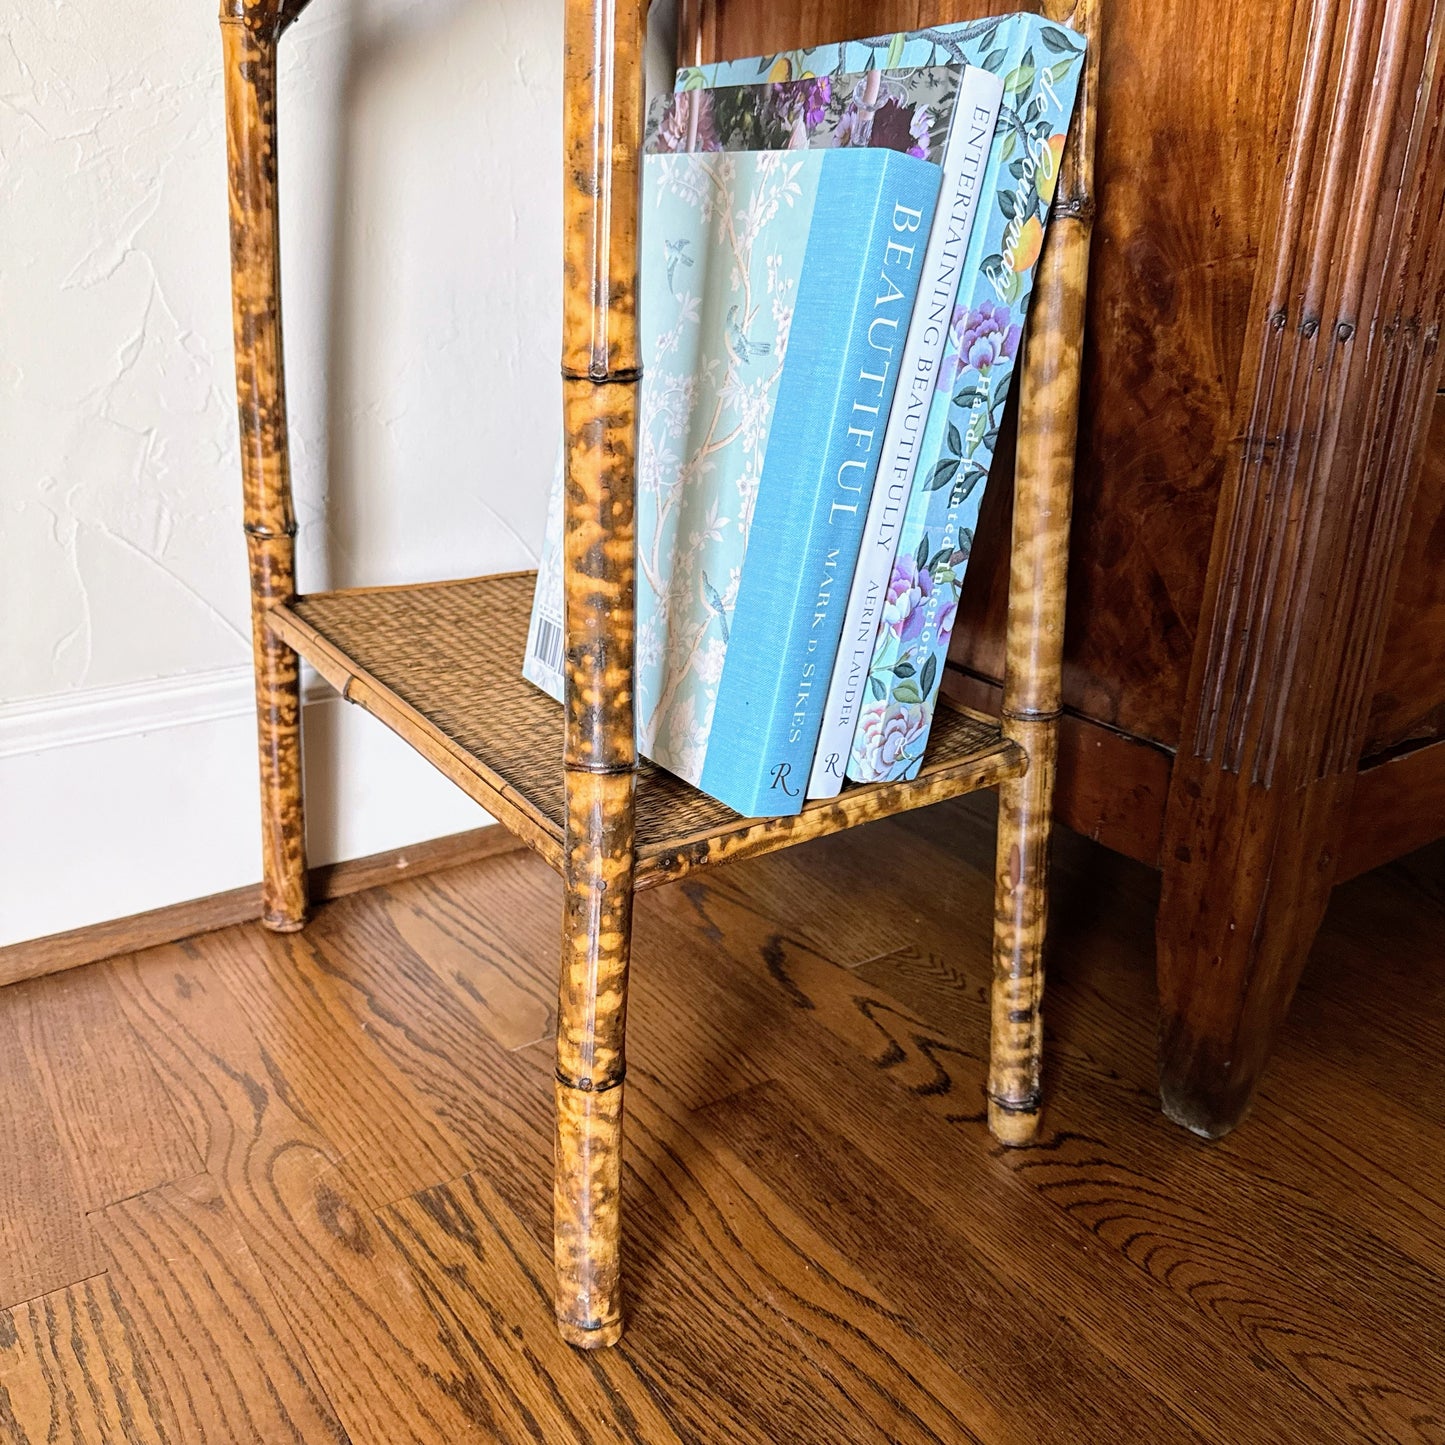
[441, 664]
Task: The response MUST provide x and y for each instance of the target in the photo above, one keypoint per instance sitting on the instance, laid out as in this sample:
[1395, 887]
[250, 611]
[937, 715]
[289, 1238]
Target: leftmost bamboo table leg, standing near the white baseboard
[249, 35]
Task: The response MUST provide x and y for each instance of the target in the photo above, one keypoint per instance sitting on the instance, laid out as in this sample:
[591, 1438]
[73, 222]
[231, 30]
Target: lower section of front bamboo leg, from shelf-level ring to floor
[592, 1058]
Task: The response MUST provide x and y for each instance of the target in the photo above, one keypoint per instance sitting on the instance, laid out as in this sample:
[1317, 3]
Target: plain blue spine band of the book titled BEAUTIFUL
[860, 281]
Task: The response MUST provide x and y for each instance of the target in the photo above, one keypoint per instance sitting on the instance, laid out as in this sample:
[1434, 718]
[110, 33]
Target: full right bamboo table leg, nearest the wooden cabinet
[1044, 493]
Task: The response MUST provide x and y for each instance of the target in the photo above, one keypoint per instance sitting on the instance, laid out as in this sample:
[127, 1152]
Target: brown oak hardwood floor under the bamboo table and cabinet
[281, 1190]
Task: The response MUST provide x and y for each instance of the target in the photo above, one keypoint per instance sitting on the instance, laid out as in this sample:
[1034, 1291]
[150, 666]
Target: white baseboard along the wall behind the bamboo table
[124, 800]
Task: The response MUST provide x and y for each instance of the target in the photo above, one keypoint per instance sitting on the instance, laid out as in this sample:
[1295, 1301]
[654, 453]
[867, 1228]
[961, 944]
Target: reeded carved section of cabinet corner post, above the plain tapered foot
[1349, 313]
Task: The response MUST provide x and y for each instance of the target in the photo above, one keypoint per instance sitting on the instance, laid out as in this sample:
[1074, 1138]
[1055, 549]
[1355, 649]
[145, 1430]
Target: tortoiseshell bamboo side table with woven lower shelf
[441, 663]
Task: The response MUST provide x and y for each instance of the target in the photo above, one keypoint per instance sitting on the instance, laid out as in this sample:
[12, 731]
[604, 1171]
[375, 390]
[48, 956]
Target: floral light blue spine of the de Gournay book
[1041, 66]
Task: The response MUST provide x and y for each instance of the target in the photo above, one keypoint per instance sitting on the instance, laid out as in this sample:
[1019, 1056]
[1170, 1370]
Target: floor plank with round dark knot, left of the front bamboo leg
[345, 1293]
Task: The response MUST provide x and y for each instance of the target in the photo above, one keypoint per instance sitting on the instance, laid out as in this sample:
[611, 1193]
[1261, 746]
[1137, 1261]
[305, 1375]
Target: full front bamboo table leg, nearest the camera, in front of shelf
[600, 369]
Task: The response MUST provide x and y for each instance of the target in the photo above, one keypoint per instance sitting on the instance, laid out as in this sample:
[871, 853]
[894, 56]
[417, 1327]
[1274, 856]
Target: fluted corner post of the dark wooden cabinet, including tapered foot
[1333, 401]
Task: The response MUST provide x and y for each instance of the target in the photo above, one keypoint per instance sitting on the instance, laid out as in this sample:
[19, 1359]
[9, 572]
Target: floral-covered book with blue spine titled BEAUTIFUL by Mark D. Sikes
[777, 294]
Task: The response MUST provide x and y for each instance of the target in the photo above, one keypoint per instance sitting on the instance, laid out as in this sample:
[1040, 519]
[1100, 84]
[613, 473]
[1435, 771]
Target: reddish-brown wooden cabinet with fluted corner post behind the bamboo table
[1255, 655]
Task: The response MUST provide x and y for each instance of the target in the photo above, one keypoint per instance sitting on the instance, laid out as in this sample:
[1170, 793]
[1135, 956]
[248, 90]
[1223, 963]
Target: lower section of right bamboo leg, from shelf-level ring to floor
[1021, 917]
